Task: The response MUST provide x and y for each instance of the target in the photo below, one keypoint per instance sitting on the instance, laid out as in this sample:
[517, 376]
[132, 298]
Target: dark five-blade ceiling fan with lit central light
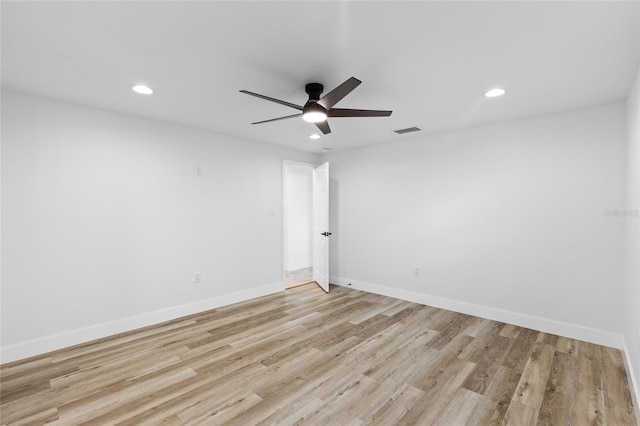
[317, 109]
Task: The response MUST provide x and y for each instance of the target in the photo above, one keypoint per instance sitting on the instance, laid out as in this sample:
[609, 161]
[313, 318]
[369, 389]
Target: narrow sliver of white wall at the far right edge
[631, 319]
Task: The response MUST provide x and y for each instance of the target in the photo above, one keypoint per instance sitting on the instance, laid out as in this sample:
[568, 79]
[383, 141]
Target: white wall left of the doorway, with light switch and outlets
[104, 222]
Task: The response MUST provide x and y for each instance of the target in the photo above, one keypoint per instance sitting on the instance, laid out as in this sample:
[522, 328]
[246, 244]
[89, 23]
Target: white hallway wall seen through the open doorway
[298, 201]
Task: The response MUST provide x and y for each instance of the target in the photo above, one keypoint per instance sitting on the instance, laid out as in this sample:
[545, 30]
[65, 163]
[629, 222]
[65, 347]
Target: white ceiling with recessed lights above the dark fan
[430, 62]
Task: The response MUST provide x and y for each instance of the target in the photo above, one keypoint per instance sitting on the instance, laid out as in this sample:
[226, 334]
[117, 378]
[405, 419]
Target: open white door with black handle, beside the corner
[321, 226]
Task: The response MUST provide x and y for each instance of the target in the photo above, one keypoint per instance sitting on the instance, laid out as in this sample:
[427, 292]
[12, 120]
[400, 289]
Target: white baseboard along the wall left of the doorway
[74, 337]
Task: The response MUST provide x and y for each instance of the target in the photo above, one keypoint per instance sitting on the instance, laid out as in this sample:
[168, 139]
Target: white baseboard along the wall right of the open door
[574, 331]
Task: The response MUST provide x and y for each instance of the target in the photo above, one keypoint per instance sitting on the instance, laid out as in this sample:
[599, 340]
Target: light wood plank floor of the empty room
[306, 357]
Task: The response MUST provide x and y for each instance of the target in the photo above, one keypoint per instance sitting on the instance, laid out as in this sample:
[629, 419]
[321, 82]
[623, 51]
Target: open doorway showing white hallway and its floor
[297, 200]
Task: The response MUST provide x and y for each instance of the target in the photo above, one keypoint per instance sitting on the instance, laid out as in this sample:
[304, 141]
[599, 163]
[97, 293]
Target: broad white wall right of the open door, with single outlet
[505, 221]
